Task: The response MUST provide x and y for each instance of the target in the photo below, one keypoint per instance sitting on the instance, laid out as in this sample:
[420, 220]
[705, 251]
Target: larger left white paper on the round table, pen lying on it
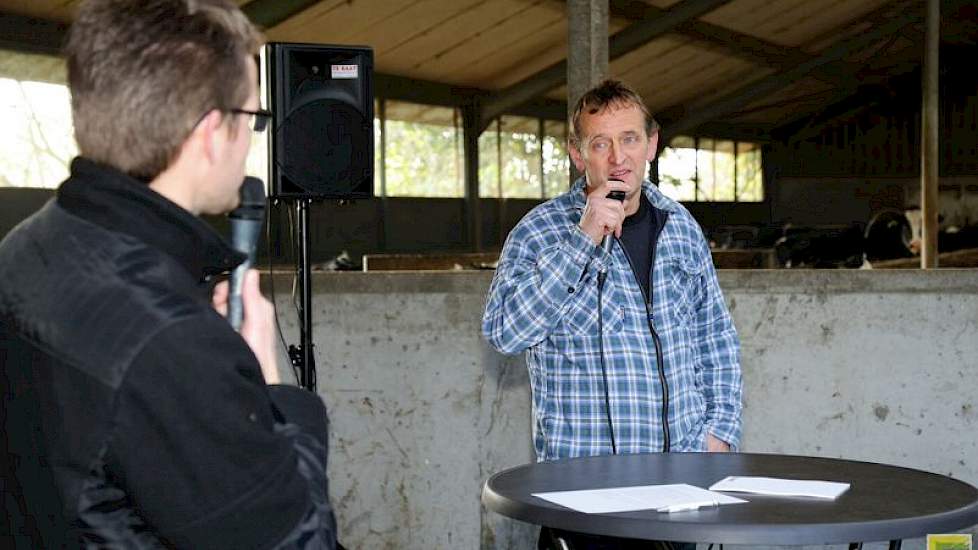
[642, 497]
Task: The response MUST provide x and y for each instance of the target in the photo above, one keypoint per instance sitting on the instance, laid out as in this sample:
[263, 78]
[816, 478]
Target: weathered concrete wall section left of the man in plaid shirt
[422, 411]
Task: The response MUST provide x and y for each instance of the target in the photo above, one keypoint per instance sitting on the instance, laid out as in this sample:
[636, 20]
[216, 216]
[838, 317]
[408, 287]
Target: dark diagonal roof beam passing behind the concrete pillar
[622, 42]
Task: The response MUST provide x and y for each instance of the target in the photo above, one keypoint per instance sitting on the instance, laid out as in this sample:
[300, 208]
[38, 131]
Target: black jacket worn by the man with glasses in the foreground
[133, 415]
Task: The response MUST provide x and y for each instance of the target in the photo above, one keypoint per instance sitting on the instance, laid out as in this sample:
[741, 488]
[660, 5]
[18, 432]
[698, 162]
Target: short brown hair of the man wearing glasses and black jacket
[142, 73]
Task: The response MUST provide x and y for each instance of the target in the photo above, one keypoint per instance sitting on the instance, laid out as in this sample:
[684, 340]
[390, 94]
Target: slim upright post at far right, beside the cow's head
[929, 139]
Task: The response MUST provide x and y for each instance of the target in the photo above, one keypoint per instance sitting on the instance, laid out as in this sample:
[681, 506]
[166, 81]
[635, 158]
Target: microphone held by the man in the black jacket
[246, 221]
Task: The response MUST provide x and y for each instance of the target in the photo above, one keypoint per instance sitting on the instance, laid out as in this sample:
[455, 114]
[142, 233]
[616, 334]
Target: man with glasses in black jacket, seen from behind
[133, 415]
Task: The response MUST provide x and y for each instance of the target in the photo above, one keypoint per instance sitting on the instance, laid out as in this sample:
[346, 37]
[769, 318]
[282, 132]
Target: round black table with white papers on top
[882, 503]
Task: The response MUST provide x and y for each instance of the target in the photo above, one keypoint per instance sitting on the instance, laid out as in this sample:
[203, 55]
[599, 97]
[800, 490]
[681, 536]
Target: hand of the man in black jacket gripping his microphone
[258, 325]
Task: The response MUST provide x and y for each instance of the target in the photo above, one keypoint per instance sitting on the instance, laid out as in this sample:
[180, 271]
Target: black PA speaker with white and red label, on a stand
[322, 139]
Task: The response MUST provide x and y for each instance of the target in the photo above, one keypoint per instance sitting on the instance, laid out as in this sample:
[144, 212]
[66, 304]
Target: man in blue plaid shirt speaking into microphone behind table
[589, 320]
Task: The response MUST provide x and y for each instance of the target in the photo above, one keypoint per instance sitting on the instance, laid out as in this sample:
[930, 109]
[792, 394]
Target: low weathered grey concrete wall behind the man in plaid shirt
[875, 366]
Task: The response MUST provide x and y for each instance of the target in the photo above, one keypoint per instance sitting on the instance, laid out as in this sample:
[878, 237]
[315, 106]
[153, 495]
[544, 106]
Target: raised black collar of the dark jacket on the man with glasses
[118, 202]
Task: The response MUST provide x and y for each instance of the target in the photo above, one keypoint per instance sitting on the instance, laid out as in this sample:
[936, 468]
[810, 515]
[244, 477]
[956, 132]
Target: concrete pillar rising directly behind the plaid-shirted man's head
[587, 50]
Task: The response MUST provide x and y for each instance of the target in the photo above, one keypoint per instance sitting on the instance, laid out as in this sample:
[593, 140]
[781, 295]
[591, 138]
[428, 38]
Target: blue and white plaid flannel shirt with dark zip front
[543, 300]
